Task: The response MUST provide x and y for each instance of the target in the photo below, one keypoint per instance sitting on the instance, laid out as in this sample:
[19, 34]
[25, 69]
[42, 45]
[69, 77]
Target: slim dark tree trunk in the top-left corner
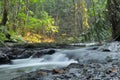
[5, 13]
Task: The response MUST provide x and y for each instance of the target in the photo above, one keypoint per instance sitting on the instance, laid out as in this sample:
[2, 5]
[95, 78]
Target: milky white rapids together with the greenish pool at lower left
[21, 66]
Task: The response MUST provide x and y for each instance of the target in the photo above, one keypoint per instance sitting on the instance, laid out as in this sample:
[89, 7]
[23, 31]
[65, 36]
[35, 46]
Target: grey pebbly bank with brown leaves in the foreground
[77, 71]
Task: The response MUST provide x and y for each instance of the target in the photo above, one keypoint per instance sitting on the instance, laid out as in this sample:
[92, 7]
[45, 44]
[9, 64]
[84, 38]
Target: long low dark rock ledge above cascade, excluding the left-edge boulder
[18, 53]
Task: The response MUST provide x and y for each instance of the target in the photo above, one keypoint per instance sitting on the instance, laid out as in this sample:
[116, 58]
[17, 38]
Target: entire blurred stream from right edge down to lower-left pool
[61, 58]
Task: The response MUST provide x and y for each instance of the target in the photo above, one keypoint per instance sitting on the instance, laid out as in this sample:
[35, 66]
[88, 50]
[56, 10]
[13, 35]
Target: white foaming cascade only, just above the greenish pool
[54, 59]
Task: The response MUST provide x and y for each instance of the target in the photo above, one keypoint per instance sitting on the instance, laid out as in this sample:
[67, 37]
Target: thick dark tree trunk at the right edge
[114, 18]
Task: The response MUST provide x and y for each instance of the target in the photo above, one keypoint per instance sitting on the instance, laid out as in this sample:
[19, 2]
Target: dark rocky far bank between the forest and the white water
[35, 50]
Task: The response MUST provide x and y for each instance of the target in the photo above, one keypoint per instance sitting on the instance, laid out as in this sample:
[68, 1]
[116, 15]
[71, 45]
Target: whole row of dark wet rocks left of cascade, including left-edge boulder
[20, 53]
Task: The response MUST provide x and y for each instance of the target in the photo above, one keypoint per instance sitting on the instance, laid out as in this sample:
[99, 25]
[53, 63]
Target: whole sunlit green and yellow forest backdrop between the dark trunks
[62, 21]
